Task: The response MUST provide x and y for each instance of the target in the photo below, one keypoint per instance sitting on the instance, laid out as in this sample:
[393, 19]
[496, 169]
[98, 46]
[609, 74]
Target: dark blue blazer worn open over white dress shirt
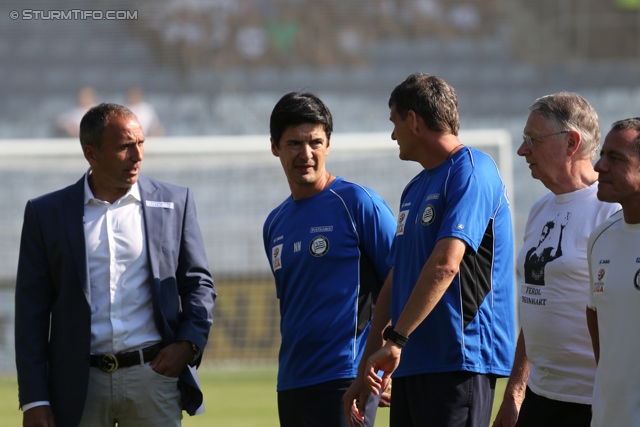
[53, 296]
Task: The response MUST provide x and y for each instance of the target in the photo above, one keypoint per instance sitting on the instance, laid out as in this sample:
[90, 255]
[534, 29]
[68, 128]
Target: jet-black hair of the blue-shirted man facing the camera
[297, 108]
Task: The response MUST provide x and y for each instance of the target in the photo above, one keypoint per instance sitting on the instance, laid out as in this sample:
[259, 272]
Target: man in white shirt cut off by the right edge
[614, 268]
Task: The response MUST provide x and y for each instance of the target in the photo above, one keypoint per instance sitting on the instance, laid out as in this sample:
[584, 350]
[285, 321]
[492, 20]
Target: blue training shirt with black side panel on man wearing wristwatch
[472, 328]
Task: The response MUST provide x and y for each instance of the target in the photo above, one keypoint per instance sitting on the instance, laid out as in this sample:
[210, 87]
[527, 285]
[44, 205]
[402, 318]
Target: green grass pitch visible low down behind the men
[234, 397]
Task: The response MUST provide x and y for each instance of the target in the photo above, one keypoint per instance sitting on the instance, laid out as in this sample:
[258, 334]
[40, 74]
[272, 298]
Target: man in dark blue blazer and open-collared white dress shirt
[113, 287]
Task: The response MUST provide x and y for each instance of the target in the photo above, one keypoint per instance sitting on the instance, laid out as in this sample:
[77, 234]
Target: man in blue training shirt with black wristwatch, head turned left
[449, 295]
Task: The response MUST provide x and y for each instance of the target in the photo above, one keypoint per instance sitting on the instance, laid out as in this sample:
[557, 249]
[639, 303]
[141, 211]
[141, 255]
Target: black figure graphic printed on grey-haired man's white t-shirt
[546, 251]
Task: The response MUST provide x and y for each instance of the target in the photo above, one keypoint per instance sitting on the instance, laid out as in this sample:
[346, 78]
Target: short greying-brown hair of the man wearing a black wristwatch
[431, 98]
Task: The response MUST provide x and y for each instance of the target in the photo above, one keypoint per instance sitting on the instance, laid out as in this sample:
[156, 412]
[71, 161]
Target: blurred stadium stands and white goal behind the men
[213, 69]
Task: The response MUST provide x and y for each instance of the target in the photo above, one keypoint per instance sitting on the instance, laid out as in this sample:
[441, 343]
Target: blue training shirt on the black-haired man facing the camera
[328, 255]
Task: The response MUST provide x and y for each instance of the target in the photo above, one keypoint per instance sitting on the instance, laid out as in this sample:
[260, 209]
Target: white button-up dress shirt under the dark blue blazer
[119, 274]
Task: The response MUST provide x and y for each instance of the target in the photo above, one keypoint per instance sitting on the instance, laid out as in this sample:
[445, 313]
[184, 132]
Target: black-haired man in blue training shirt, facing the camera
[327, 245]
